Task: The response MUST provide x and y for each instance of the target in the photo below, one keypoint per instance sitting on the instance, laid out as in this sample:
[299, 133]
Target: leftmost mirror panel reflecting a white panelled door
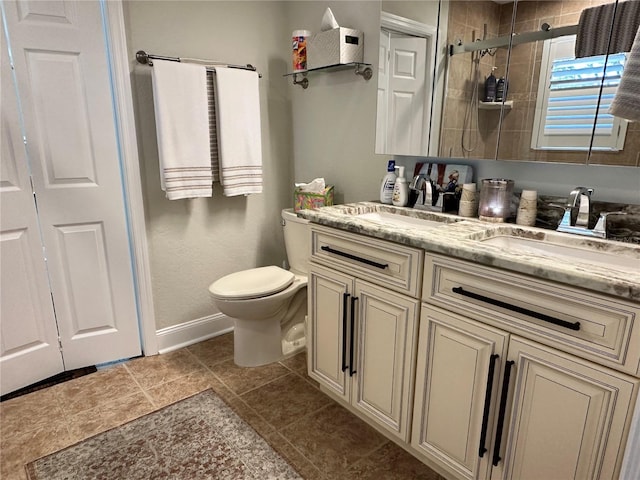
[406, 72]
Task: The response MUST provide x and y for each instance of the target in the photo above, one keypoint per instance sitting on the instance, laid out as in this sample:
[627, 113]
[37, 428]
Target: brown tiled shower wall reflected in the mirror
[524, 73]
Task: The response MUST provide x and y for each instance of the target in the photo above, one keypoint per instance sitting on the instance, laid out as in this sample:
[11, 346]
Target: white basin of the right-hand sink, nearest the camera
[573, 254]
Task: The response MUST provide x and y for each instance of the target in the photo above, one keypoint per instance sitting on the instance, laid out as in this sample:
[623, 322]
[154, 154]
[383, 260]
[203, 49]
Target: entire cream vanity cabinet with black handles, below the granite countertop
[479, 372]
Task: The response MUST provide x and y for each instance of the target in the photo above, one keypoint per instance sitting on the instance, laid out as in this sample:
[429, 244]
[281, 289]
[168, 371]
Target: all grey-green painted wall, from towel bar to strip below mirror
[327, 130]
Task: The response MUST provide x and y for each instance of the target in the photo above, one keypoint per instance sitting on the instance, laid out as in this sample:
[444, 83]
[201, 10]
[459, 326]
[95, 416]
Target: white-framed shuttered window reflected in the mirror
[570, 101]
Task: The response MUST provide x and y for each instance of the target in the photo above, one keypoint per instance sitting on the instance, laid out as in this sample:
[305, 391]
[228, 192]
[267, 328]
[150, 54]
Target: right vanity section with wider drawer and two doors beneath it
[490, 403]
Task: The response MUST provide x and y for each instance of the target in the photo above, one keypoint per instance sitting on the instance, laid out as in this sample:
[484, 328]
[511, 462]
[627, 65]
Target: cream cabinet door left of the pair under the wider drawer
[457, 378]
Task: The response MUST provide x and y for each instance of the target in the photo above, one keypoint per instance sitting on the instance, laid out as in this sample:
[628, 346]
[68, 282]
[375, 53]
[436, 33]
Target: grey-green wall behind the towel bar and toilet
[194, 242]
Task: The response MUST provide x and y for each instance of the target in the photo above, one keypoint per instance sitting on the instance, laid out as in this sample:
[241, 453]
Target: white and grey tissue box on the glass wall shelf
[335, 46]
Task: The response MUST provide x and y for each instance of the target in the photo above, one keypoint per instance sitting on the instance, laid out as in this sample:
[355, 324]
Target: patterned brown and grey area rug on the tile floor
[197, 438]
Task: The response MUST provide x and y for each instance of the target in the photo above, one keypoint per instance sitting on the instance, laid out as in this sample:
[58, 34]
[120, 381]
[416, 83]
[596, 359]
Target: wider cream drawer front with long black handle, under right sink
[597, 327]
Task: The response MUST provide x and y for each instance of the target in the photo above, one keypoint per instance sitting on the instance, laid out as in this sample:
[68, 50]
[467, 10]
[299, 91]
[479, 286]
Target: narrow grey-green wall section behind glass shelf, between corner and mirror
[334, 119]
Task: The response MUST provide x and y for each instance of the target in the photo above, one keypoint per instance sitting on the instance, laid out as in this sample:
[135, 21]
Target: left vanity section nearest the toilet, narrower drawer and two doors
[362, 336]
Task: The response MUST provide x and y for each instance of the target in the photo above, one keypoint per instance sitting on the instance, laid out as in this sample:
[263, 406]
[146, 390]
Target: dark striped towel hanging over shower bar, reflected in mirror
[595, 25]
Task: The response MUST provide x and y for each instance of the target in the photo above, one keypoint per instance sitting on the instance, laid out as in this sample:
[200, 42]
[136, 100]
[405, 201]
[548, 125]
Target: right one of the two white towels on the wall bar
[239, 136]
